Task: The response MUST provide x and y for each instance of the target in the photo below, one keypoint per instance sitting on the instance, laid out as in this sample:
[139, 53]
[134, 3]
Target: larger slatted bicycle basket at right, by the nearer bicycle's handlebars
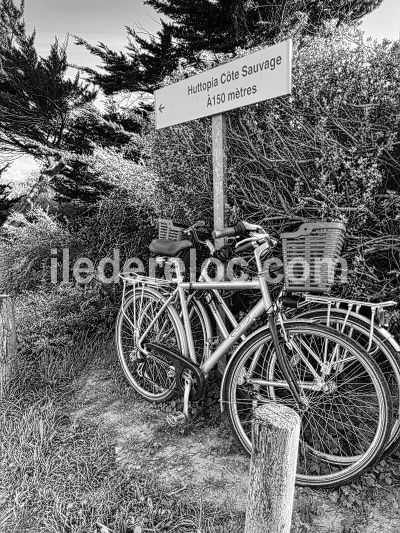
[310, 255]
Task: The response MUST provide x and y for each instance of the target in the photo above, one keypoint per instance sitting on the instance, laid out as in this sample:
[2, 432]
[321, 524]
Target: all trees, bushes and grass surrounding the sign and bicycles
[331, 150]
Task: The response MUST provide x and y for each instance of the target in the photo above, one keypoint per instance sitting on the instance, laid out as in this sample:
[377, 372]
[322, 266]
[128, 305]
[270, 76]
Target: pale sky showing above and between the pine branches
[105, 21]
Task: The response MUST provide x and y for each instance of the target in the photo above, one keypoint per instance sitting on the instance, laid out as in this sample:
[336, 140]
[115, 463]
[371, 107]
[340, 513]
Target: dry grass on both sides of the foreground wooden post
[60, 475]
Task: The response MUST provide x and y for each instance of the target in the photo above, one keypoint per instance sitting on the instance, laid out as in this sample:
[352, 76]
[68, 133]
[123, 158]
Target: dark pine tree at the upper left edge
[45, 114]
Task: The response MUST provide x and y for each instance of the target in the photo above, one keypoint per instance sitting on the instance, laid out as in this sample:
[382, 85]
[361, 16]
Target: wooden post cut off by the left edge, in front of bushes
[8, 344]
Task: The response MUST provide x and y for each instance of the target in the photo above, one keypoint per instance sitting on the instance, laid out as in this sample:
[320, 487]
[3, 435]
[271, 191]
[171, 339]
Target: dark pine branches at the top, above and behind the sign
[218, 26]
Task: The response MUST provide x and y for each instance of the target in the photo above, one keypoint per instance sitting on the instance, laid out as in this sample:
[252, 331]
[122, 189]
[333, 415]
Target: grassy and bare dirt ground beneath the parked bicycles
[80, 452]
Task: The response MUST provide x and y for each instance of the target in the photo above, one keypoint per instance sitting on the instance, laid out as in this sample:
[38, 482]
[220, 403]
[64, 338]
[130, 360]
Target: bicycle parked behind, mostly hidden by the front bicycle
[343, 314]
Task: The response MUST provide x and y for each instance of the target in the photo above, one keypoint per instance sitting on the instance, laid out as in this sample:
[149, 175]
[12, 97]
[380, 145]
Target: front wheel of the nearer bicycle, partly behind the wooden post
[345, 417]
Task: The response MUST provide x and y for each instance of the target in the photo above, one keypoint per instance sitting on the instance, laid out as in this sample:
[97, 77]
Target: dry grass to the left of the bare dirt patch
[61, 477]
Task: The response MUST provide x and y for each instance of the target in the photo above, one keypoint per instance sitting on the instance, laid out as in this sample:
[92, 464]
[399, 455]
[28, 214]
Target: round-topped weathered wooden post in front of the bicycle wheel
[275, 437]
